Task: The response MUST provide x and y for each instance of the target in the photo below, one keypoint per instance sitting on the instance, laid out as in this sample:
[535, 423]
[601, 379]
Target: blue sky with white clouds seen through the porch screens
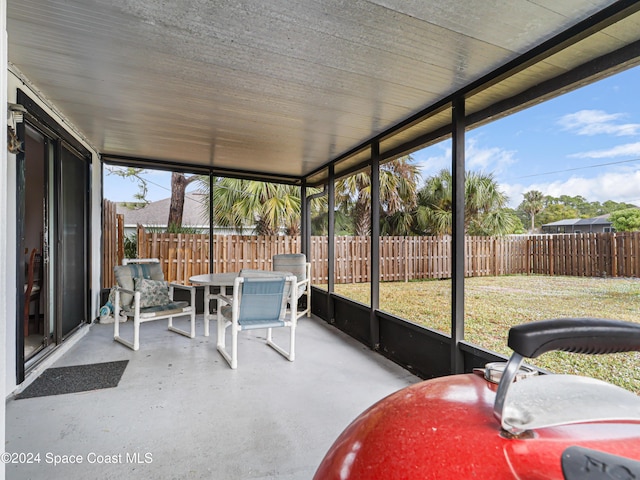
[583, 143]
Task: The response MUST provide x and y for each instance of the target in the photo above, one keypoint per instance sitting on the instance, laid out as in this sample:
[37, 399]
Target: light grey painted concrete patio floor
[179, 411]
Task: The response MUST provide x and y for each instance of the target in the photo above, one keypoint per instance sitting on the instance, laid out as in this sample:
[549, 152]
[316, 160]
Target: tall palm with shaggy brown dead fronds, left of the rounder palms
[398, 188]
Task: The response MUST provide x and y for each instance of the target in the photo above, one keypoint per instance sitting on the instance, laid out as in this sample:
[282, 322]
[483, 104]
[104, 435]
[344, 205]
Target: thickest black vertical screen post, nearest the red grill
[458, 234]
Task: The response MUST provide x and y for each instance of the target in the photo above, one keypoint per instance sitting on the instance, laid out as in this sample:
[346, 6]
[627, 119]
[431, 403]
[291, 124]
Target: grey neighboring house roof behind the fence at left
[155, 214]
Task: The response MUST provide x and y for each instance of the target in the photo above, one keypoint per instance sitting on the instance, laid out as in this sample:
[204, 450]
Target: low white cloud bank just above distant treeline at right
[620, 186]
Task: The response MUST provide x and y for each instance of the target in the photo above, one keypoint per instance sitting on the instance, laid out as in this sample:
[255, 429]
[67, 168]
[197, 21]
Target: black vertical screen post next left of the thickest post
[374, 322]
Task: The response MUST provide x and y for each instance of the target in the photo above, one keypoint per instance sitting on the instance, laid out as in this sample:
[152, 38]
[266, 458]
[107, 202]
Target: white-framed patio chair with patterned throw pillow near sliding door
[143, 294]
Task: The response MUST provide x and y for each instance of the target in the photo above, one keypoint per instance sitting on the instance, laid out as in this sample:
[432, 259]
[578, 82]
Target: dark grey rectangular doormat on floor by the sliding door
[77, 378]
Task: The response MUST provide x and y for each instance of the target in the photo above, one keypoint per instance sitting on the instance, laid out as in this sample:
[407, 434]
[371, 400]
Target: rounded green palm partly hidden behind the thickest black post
[485, 212]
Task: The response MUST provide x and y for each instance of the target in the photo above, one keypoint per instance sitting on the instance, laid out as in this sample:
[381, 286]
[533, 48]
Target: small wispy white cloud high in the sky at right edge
[595, 122]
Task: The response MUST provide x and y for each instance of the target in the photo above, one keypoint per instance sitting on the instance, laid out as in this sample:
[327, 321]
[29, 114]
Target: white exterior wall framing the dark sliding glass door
[14, 80]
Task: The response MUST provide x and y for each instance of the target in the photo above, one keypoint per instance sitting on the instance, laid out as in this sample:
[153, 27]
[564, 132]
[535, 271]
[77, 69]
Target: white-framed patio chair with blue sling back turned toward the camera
[258, 302]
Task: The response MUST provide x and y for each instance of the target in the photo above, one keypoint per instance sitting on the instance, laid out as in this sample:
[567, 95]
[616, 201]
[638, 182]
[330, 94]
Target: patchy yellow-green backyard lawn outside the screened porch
[494, 304]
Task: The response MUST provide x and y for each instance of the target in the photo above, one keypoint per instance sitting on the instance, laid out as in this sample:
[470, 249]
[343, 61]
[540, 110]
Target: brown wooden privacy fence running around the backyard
[401, 258]
